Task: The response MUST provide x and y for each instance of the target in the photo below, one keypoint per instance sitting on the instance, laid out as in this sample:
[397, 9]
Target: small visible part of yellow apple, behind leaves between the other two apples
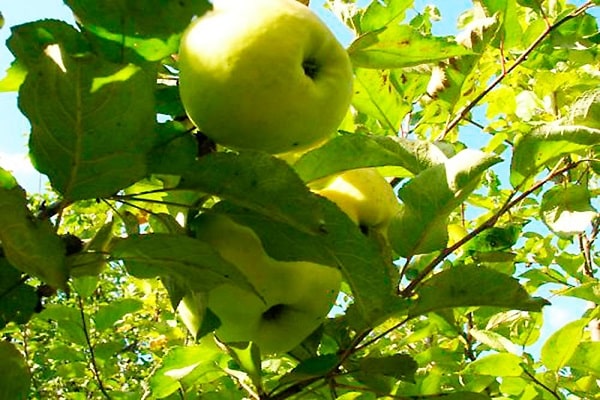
[363, 194]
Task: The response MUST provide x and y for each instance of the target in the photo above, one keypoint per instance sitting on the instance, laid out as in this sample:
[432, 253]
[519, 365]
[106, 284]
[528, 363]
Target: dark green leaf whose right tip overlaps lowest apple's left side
[192, 263]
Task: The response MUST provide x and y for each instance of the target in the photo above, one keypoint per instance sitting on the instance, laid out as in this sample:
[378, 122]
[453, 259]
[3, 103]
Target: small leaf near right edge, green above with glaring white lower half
[567, 211]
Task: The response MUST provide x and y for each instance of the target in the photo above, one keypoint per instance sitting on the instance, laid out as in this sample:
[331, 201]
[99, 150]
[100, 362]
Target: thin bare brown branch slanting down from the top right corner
[465, 111]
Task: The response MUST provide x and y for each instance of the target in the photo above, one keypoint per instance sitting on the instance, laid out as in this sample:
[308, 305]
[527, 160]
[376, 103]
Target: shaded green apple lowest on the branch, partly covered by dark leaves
[293, 298]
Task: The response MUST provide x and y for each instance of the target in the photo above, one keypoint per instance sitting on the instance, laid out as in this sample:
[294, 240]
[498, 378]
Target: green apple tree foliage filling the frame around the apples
[442, 311]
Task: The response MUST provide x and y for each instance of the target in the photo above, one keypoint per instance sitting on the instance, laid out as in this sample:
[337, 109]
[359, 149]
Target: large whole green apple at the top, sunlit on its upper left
[264, 74]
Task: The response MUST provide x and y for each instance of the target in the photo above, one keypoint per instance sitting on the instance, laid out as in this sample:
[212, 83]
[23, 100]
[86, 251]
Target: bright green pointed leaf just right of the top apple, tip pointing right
[401, 46]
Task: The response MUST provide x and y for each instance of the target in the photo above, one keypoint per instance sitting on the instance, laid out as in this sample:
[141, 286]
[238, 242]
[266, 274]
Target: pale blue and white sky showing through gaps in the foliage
[13, 136]
